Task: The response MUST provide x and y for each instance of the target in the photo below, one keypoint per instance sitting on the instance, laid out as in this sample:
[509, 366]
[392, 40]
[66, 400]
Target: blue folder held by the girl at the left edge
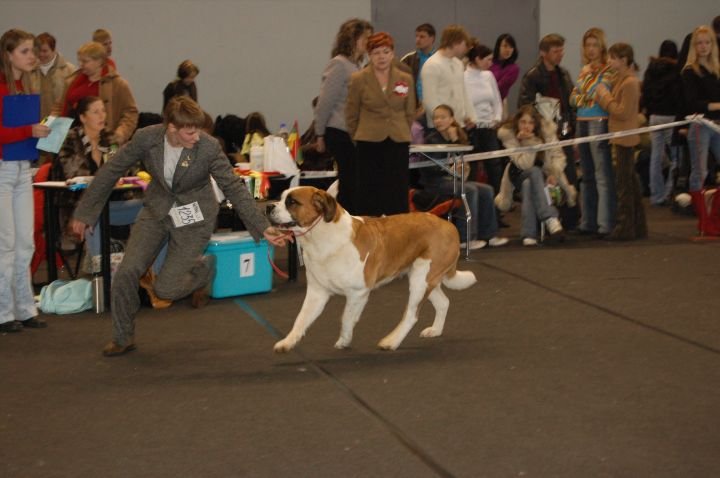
[20, 110]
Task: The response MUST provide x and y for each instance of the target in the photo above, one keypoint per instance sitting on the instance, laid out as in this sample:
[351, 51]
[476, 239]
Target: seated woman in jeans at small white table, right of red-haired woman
[484, 225]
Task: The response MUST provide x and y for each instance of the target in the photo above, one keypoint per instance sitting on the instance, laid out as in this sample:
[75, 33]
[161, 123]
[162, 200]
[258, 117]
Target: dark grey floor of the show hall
[582, 359]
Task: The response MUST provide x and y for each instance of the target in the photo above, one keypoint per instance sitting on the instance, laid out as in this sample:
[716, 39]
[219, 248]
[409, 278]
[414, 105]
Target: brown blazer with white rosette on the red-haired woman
[371, 115]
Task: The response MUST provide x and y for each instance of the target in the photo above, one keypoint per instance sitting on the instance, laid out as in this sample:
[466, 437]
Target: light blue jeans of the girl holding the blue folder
[16, 241]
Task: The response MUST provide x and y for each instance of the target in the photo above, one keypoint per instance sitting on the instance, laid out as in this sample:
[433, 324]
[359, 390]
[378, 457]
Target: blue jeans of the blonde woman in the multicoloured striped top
[597, 197]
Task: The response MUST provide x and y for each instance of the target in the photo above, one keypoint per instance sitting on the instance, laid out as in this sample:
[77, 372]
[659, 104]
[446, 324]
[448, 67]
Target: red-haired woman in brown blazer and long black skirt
[379, 111]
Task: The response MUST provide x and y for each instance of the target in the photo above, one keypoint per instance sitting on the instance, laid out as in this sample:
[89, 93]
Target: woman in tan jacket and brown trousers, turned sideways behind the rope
[623, 107]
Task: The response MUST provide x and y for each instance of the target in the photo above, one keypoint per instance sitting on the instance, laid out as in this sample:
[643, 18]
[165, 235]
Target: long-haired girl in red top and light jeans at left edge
[17, 304]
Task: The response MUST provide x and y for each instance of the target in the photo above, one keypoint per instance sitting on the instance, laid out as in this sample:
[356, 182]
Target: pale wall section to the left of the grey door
[254, 55]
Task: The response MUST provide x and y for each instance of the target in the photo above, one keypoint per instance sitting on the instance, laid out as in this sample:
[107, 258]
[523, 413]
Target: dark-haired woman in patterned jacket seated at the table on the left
[86, 149]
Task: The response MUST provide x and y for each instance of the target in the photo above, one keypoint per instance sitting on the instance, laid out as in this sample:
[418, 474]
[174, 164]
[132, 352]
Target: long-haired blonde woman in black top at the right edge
[701, 84]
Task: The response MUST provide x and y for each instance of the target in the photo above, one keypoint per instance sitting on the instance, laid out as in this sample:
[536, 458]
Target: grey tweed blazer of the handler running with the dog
[191, 181]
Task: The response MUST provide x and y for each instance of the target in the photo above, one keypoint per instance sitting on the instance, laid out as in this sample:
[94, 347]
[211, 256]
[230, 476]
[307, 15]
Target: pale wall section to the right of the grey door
[644, 24]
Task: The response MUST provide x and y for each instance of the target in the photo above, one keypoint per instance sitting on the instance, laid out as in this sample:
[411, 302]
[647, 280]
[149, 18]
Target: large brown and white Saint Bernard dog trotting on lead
[352, 255]
